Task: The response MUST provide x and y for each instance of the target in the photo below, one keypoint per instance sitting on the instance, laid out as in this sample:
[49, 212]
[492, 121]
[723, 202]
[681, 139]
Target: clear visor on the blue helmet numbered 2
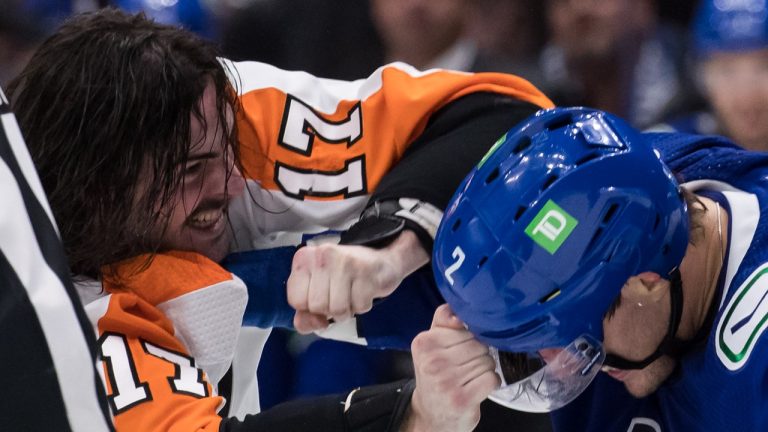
[545, 382]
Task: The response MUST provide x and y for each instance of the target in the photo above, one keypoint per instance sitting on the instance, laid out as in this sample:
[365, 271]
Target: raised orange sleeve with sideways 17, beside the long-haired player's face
[281, 127]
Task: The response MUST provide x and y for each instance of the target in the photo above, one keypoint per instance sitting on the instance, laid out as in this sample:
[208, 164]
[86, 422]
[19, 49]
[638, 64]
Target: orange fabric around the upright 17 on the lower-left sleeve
[132, 317]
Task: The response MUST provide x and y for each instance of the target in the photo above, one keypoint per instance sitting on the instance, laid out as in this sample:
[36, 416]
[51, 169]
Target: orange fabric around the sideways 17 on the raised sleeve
[392, 118]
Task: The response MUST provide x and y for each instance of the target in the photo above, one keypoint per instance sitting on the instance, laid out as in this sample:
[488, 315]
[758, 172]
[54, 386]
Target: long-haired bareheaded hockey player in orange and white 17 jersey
[145, 142]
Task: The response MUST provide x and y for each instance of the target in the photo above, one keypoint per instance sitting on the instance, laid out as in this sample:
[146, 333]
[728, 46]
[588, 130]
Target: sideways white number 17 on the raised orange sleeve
[300, 125]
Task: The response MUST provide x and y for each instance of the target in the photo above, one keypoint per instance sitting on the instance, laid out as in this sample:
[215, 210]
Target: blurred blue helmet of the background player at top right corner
[730, 25]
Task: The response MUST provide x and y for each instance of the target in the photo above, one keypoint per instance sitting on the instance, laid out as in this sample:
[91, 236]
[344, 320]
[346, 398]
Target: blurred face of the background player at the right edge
[736, 84]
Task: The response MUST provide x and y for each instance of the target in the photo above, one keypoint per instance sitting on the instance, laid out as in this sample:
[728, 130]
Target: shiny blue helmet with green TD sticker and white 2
[541, 236]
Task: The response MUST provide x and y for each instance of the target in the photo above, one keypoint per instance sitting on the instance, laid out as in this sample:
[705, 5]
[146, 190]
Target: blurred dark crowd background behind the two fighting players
[660, 64]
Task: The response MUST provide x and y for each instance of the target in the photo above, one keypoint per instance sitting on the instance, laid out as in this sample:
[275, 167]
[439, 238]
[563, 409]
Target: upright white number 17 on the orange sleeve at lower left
[127, 390]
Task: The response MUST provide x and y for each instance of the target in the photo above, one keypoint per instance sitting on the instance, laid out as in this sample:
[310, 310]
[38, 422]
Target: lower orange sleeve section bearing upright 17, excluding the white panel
[152, 383]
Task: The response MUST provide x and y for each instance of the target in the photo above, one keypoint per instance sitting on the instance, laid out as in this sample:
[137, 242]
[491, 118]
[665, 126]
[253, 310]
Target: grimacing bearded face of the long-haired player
[198, 221]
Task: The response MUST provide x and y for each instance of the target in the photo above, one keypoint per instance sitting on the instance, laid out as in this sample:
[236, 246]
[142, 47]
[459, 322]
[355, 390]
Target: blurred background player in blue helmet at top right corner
[731, 50]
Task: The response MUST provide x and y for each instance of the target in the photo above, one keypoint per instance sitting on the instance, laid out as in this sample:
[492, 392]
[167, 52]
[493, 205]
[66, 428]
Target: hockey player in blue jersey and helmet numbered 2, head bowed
[573, 246]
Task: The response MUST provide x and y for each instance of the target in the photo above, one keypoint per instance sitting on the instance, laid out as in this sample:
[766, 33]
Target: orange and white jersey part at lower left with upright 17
[167, 334]
